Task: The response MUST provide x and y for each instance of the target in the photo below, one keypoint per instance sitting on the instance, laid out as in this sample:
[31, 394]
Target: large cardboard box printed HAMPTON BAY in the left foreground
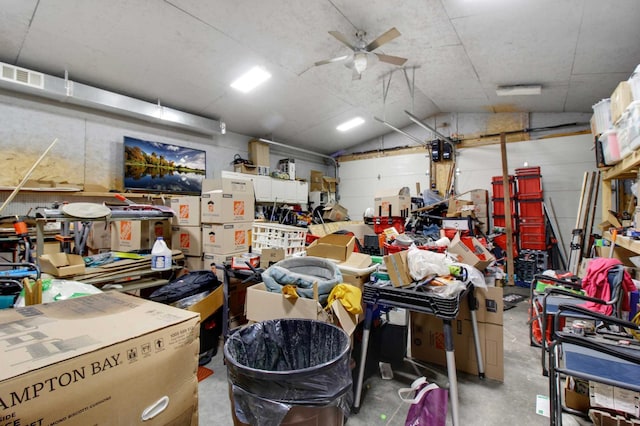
[73, 362]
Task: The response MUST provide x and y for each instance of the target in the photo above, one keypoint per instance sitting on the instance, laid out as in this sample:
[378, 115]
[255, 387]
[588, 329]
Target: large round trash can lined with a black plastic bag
[289, 372]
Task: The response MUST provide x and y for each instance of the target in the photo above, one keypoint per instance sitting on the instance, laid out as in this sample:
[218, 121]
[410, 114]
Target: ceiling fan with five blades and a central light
[363, 55]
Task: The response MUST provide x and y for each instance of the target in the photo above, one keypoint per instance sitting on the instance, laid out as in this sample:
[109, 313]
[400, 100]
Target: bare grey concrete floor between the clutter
[482, 402]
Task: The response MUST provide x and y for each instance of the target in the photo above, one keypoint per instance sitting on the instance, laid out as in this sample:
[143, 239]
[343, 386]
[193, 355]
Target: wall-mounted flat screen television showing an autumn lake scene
[159, 167]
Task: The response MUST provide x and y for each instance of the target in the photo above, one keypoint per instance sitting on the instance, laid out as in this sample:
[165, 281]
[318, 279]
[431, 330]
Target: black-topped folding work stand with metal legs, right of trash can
[413, 299]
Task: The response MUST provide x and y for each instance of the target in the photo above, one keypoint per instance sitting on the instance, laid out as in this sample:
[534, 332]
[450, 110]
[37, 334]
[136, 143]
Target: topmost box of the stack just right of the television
[227, 200]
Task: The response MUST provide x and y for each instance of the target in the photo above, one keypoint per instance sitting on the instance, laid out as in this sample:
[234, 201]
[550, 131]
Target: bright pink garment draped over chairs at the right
[596, 284]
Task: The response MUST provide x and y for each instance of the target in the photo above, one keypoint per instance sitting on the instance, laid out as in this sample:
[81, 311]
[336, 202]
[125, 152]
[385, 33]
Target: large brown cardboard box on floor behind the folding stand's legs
[427, 344]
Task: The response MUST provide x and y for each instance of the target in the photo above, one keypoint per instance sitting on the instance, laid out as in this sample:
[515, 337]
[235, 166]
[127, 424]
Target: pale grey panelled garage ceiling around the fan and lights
[184, 54]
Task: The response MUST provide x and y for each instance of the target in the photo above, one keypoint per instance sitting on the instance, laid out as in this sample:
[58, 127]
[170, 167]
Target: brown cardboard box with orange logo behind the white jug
[127, 235]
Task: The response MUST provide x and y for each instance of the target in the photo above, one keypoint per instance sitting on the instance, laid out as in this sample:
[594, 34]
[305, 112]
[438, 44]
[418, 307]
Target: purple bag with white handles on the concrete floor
[428, 407]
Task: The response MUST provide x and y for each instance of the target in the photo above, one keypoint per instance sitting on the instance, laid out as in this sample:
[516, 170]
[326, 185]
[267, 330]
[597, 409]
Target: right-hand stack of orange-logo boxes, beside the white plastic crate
[227, 213]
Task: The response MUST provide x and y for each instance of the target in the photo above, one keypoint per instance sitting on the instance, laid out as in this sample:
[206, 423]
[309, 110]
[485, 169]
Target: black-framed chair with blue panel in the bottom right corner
[608, 355]
